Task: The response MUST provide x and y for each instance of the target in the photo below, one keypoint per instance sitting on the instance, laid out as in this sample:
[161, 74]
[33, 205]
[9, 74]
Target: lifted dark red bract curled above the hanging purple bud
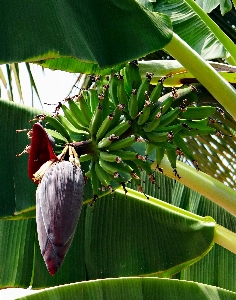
[41, 149]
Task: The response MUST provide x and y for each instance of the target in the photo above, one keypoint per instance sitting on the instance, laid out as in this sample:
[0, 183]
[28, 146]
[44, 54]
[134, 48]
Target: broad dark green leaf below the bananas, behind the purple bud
[111, 241]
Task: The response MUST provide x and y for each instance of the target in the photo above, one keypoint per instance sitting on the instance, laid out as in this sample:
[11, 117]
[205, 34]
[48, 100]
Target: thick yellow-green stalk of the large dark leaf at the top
[221, 90]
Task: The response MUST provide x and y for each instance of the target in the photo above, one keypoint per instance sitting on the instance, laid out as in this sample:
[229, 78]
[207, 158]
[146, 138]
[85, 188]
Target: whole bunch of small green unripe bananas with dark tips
[106, 119]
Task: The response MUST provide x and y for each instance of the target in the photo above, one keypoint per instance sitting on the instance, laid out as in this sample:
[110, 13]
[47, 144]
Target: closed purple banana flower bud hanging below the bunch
[59, 199]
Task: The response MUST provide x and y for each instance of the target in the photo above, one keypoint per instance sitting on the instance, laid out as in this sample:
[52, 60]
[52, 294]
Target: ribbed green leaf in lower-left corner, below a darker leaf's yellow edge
[16, 252]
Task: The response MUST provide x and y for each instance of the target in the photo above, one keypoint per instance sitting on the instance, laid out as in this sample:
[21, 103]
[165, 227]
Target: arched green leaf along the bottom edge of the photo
[133, 289]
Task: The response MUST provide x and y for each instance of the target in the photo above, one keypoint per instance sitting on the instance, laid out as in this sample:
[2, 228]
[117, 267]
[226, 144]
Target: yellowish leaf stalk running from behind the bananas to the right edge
[203, 184]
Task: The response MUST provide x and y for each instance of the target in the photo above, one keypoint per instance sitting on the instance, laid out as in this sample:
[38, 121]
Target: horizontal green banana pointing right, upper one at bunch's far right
[198, 112]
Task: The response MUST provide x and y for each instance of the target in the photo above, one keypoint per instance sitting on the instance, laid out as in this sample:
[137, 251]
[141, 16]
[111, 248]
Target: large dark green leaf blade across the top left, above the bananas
[93, 32]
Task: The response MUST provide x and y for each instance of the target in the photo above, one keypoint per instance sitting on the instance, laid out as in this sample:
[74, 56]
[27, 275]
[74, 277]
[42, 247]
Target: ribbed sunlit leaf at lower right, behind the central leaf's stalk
[219, 262]
